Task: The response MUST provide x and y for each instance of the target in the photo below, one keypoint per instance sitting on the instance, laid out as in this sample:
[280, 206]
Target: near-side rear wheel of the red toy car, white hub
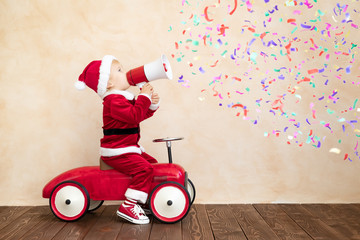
[69, 201]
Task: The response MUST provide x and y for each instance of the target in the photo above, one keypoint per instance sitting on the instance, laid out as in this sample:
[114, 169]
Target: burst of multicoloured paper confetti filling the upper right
[293, 63]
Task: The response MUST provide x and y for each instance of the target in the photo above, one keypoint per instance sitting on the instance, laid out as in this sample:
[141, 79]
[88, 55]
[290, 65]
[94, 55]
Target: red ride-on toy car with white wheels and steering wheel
[75, 192]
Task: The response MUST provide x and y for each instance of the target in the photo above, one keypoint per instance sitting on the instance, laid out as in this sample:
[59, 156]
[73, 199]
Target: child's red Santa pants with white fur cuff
[140, 168]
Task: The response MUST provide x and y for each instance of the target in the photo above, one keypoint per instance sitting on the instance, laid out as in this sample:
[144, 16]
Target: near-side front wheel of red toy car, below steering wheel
[169, 202]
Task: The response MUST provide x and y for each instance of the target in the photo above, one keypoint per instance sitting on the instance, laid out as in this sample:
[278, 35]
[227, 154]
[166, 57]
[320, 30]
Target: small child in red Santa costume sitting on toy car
[122, 115]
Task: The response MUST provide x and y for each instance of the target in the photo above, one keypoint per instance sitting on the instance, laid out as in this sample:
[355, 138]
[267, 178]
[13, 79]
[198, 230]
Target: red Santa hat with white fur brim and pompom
[96, 75]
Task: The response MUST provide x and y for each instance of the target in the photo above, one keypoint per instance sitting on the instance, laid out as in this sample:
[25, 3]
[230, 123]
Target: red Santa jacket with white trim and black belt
[122, 115]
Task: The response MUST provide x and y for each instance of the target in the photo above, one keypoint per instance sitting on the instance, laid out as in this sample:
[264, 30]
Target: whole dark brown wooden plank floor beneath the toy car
[257, 221]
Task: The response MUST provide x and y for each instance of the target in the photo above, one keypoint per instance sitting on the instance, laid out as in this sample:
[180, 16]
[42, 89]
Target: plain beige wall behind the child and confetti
[47, 126]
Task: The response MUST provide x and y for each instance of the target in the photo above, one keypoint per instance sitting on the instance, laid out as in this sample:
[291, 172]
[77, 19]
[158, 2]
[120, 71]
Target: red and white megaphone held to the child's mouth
[159, 69]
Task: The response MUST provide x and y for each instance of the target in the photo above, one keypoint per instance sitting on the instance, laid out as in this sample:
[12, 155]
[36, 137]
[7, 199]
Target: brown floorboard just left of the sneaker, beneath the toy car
[107, 226]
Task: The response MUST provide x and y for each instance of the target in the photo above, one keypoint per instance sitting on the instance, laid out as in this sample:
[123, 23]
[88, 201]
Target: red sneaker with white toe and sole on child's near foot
[133, 214]
